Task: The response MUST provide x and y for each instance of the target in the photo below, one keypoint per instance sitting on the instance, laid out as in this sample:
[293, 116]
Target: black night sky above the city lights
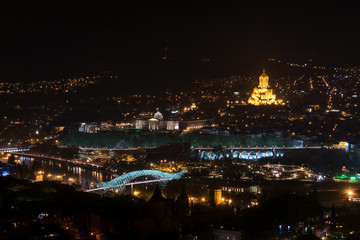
[46, 42]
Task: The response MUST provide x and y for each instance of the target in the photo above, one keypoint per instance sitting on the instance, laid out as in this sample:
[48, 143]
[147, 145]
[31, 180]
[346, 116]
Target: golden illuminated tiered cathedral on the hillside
[263, 94]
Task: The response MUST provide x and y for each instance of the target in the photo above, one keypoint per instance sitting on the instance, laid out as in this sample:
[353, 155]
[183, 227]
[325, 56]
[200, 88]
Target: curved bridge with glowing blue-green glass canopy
[127, 179]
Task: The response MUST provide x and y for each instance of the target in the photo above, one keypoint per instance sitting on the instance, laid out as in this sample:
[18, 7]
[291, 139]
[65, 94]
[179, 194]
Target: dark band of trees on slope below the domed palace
[125, 139]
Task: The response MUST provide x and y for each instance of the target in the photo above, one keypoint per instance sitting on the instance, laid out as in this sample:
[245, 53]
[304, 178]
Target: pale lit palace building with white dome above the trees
[157, 123]
